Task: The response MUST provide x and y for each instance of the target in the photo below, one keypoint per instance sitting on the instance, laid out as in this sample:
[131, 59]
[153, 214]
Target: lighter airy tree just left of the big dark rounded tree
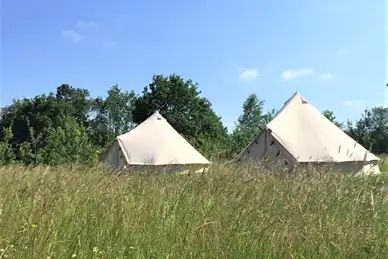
[113, 116]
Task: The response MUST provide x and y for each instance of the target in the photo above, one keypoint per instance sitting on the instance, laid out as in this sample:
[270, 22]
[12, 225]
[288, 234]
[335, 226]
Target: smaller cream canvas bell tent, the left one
[154, 142]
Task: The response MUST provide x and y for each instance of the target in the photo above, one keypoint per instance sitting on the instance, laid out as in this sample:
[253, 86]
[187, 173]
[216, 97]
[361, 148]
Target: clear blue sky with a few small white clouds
[332, 52]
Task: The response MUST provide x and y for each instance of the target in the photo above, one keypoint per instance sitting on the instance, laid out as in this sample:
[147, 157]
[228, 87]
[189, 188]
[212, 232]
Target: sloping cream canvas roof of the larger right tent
[309, 136]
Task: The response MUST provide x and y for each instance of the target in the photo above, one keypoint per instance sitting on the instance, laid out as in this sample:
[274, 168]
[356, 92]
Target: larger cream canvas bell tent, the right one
[301, 134]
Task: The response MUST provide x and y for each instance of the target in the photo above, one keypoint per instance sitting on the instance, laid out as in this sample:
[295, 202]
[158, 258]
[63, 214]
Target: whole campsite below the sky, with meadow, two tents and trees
[65, 193]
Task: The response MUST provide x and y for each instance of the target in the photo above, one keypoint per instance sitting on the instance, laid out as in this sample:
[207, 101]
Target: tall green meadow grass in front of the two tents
[87, 213]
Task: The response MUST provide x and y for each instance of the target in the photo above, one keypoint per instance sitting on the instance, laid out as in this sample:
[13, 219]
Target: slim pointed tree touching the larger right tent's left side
[250, 123]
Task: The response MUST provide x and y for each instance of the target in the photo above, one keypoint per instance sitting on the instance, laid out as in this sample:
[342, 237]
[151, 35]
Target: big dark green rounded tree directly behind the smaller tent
[179, 101]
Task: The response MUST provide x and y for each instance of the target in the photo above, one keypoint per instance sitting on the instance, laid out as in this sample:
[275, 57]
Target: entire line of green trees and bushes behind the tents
[69, 125]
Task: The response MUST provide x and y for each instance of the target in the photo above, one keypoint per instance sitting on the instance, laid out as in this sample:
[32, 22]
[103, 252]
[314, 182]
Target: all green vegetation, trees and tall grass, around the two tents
[56, 202]
